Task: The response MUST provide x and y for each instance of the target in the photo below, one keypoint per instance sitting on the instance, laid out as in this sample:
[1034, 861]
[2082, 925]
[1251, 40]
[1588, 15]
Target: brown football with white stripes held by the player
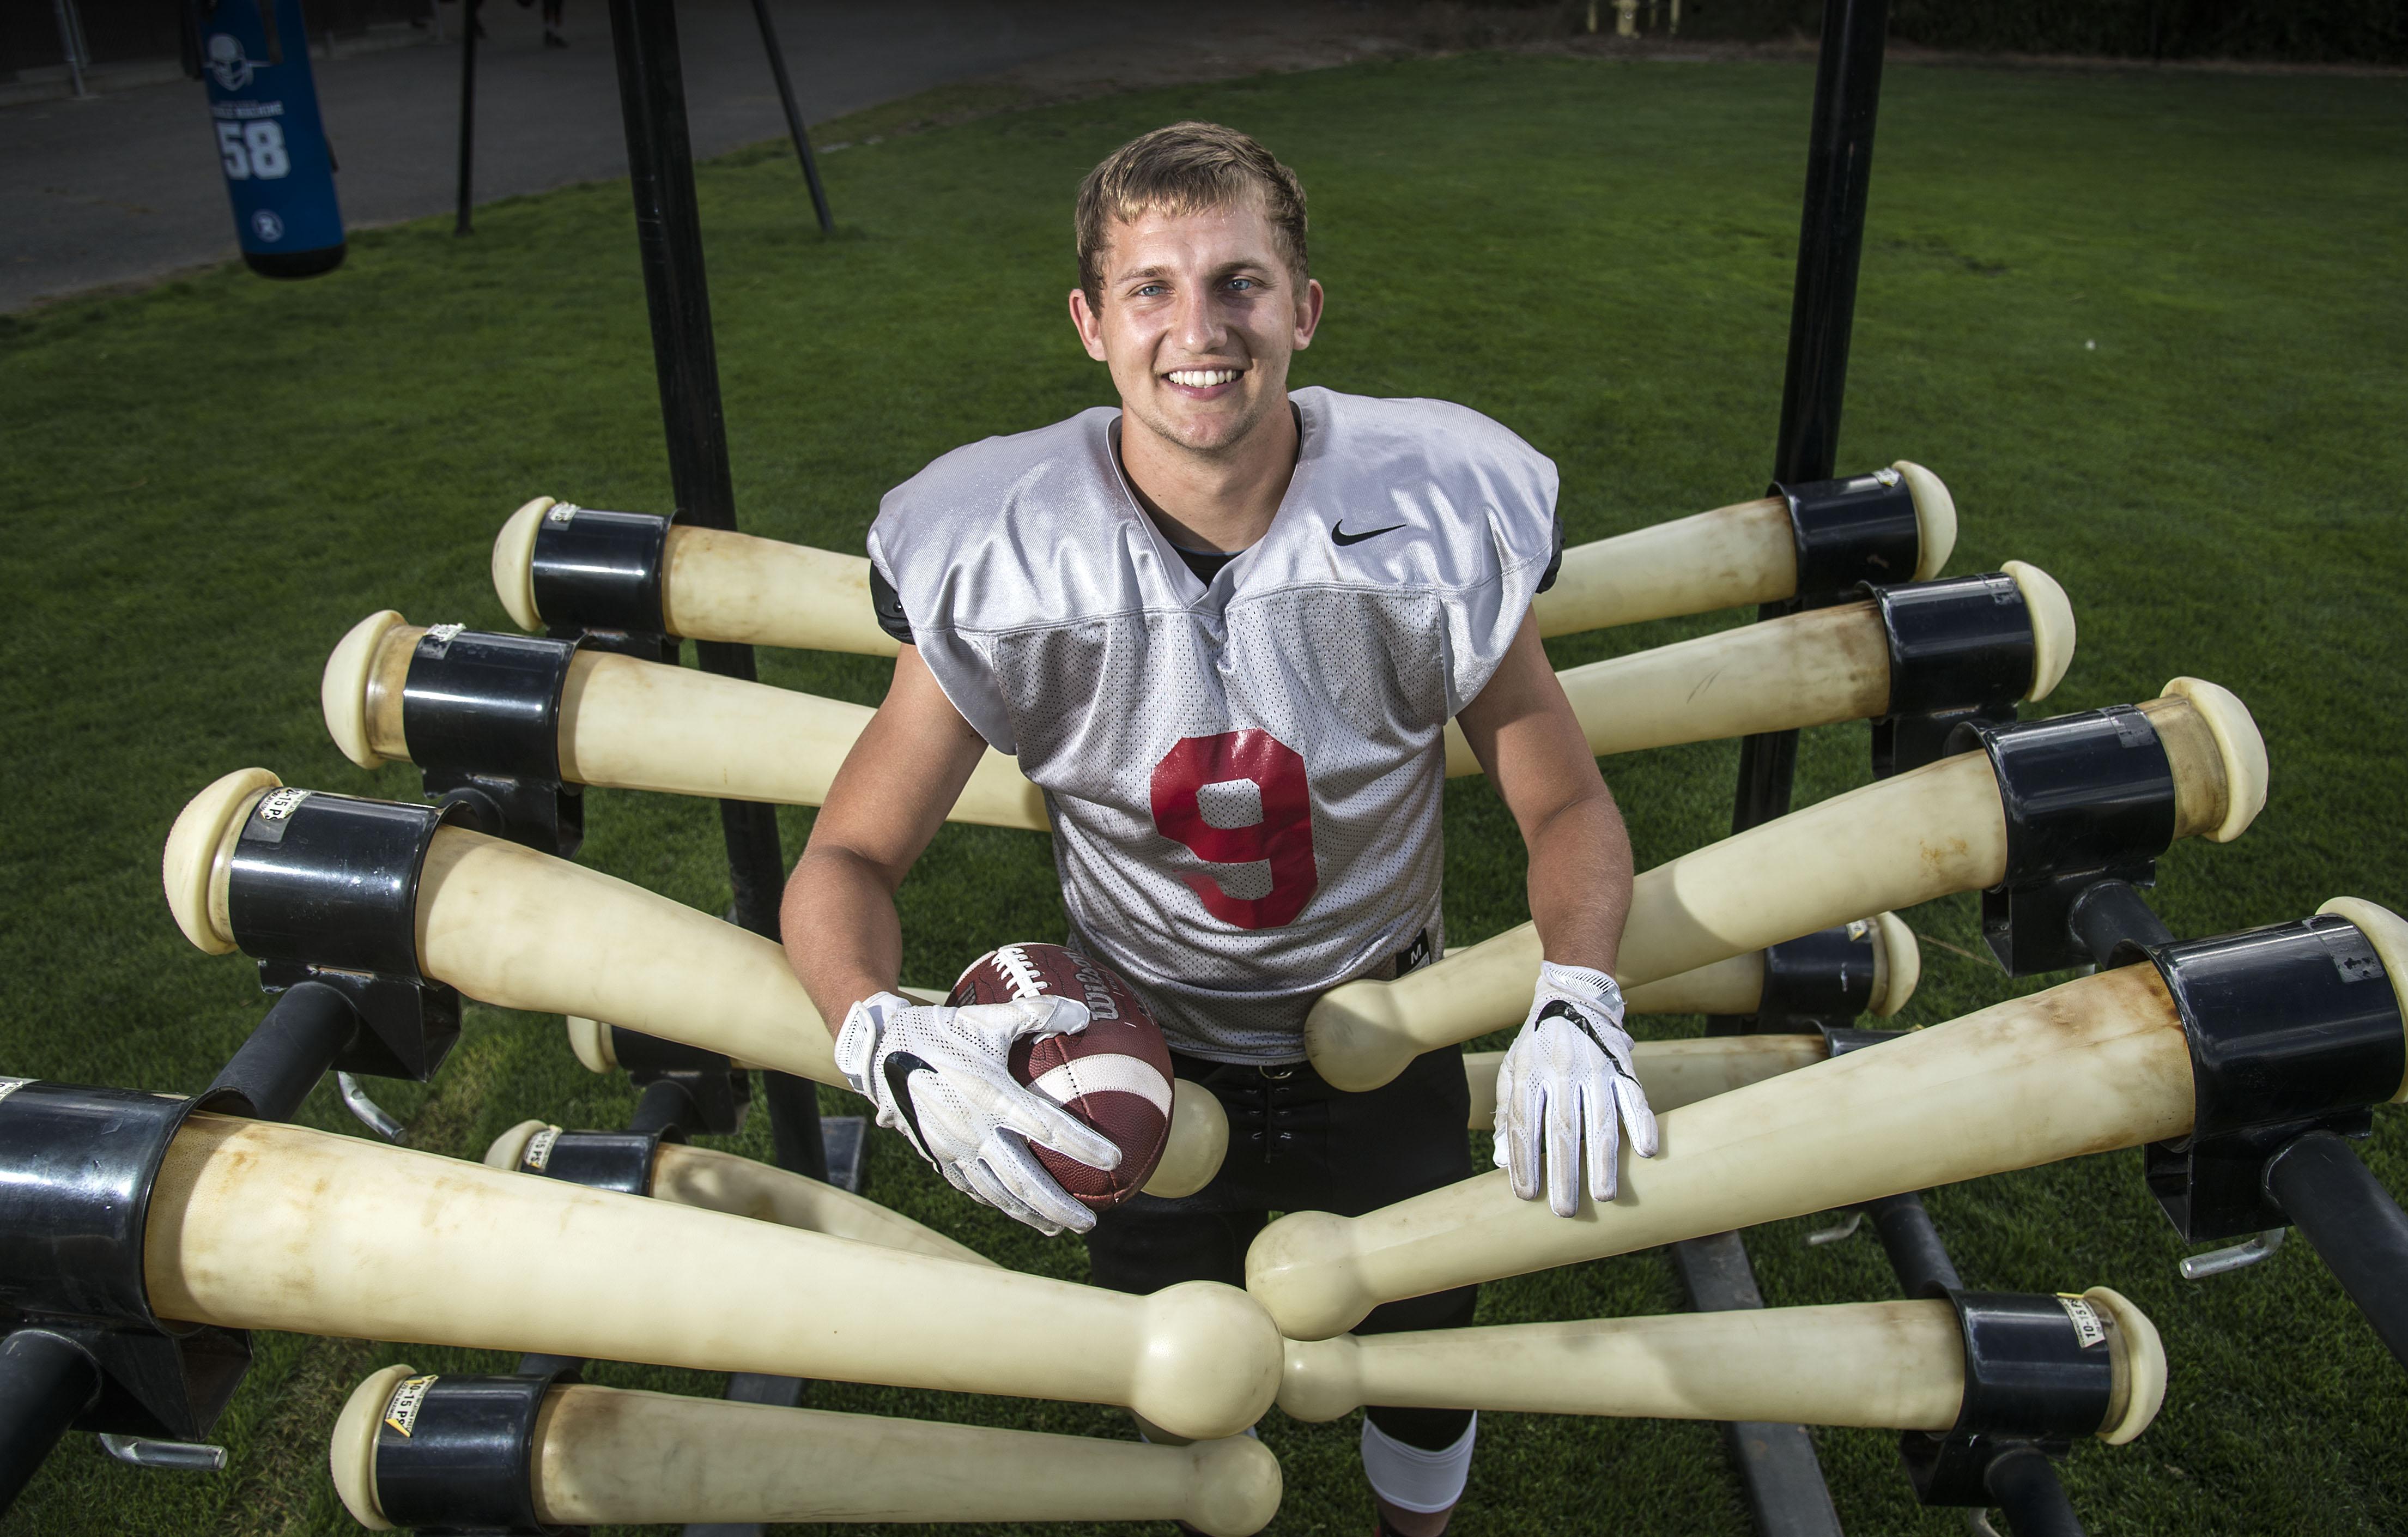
[1114, 1076]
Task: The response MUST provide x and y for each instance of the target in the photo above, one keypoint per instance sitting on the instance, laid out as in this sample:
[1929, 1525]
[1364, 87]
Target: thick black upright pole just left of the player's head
[685, 360]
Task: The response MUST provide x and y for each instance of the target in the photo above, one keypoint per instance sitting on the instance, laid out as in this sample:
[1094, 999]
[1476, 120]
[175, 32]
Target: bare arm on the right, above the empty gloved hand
[1535, 753]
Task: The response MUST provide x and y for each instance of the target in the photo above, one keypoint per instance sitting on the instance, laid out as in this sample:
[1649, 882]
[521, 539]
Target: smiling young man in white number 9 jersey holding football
[1224, 630]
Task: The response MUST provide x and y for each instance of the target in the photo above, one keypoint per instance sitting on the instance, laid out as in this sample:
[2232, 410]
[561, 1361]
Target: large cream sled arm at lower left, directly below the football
[278, 1227]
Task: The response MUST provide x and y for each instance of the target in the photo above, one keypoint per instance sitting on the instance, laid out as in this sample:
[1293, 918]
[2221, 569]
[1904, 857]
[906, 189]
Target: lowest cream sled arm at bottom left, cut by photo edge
[613, 1456]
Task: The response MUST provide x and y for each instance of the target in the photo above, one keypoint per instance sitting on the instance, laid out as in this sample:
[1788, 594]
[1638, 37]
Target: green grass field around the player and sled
[2149, 329]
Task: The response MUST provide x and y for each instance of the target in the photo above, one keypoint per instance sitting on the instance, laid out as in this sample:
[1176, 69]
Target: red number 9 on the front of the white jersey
[1282, 840]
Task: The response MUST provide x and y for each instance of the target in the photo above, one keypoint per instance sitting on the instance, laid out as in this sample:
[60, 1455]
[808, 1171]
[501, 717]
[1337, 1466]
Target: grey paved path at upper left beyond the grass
[126, 187]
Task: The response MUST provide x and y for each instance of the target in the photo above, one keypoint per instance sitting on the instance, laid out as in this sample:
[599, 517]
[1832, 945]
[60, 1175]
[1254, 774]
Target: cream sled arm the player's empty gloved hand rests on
[2084, 1068]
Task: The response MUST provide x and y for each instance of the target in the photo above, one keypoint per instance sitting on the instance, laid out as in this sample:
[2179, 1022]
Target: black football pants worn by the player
[1299, 1146]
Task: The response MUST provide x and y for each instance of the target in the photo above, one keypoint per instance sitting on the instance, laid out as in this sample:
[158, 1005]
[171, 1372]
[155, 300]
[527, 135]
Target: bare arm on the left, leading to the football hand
[890, 799]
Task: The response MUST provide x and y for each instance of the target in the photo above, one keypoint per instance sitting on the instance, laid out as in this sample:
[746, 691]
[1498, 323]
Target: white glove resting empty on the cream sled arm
[1569, 1076]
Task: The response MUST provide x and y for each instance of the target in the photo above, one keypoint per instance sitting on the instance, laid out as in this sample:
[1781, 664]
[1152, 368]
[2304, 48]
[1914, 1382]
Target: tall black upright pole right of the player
[1822, 314]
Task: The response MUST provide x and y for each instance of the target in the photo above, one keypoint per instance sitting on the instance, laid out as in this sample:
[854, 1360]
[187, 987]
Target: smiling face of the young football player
[1198, 322]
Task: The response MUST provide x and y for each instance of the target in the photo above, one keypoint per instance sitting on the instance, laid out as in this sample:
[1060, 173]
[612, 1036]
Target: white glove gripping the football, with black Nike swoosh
[943, 1078]
